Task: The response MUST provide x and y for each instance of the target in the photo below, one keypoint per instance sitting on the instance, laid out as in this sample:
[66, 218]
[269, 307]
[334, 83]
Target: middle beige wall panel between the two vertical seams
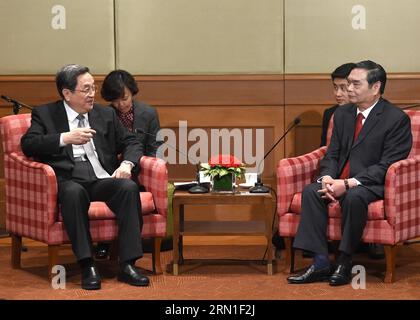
[200, 36]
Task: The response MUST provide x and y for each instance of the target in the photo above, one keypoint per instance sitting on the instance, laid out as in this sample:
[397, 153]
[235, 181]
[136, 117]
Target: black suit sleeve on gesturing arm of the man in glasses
[36, 141]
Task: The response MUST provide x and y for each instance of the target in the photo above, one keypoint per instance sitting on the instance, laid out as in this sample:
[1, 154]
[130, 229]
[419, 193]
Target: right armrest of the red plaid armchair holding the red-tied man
[402, 197]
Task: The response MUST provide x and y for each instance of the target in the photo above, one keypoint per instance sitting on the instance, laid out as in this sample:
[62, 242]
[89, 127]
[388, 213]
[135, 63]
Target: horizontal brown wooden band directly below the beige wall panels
[250, 90]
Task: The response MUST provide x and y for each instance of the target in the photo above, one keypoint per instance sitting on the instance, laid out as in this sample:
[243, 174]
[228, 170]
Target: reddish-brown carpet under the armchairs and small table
[231, 281]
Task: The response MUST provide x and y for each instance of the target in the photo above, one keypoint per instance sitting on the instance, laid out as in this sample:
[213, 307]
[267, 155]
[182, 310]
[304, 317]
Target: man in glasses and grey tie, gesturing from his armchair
[81, 141]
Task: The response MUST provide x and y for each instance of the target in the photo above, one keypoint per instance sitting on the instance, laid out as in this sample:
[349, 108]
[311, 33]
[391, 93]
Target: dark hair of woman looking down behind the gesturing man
[114, 84]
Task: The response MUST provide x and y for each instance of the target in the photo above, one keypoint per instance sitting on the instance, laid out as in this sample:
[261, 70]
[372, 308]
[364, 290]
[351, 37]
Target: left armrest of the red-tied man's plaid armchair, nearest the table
[293, 174]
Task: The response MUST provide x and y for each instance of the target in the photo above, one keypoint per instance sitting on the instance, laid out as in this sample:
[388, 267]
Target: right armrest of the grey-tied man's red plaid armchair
[154, 177]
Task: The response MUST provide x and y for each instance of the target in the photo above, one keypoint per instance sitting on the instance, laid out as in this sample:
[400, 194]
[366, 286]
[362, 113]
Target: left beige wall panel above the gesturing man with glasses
[30, 45]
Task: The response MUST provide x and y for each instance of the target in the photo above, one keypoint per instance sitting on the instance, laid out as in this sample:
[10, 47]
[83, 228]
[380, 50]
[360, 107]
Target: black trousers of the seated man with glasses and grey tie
[120, 195]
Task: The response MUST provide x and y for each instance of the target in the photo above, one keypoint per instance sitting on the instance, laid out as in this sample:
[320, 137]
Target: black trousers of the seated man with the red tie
[312, 231]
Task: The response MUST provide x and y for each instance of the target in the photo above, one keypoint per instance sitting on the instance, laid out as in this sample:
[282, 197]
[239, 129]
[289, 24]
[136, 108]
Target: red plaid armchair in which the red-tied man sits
[390, 221]
